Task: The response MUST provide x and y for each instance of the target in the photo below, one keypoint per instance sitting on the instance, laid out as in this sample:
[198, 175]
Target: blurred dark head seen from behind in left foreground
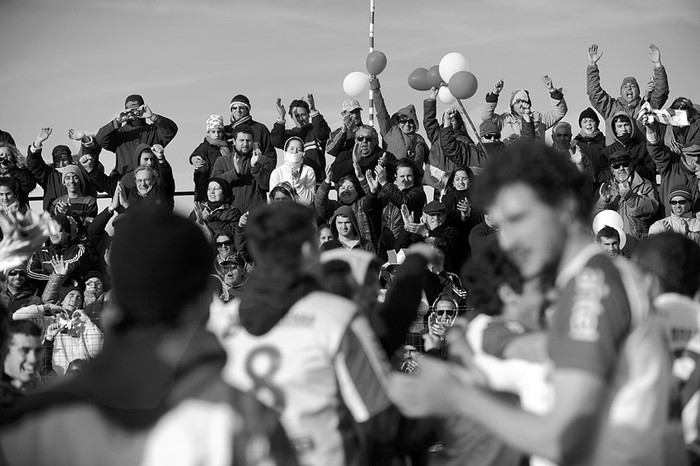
[160, 262]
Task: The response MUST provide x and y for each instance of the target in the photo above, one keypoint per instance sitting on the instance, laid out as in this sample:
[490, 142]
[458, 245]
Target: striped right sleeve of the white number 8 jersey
[361, 371]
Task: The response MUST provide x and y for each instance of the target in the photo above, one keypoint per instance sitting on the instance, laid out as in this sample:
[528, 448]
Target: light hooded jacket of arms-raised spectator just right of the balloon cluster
[510, 123]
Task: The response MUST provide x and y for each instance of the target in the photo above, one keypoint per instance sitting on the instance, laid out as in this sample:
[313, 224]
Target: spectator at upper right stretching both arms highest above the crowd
[630, 100]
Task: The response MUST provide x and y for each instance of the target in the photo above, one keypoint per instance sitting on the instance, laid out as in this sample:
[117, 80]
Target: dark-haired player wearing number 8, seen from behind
[309, 354]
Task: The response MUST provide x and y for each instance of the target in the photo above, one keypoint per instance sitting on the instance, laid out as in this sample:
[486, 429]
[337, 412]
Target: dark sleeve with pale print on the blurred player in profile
[592, 319]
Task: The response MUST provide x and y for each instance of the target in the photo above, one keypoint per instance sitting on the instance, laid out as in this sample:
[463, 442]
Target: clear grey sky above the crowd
[70, 63]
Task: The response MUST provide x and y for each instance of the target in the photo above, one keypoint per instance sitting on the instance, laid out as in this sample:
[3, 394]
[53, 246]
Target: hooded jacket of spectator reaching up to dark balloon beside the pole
[396, 141]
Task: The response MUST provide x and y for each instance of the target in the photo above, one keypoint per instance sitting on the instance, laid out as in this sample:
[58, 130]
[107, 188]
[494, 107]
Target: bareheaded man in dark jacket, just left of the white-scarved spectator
[246, 170]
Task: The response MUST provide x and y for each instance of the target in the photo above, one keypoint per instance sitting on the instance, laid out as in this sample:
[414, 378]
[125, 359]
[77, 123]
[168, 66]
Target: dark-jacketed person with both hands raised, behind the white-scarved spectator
[310, 127]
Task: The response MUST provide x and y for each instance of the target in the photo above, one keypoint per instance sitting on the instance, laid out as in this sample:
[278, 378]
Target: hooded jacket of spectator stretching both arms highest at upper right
[609, 106]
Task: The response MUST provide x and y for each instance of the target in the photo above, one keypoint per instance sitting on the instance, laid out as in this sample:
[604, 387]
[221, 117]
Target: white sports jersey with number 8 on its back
[320, 366]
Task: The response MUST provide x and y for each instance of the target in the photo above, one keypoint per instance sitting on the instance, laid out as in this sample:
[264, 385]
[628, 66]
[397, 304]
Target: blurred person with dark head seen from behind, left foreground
[155, 394]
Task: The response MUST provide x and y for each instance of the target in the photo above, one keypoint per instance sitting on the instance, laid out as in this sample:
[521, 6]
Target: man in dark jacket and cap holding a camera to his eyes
[128, 129]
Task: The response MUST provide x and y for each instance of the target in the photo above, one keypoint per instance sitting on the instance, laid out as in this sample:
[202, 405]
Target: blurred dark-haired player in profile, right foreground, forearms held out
[602, 412]
